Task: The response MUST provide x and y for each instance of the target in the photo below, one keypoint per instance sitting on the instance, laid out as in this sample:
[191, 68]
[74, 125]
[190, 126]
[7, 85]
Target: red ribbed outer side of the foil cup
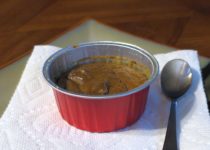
[104, 115]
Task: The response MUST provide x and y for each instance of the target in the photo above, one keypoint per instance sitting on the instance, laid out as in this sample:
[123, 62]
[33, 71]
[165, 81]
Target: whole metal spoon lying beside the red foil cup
[176, 78]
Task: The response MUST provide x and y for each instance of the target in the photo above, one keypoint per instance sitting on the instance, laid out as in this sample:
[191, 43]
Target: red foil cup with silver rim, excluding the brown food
[99, 113]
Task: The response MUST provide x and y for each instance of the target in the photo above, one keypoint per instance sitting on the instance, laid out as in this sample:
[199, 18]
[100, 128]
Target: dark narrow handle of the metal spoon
[171, 138]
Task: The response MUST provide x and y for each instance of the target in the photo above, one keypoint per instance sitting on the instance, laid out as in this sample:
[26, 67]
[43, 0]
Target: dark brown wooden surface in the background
[178, 23]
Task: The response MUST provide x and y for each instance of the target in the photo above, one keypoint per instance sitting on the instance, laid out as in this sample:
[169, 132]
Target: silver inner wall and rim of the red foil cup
[69, 57]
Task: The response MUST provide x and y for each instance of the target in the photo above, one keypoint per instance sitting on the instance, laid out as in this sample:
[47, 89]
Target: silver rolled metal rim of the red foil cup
[101, 97]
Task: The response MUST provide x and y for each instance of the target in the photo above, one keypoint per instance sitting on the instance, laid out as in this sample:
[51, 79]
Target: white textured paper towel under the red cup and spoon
[32, 121]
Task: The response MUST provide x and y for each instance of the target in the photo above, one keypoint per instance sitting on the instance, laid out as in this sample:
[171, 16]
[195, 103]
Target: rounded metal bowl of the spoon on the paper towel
[176, 78]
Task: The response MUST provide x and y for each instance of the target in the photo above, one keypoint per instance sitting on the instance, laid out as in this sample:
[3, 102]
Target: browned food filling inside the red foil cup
[103, 78]
